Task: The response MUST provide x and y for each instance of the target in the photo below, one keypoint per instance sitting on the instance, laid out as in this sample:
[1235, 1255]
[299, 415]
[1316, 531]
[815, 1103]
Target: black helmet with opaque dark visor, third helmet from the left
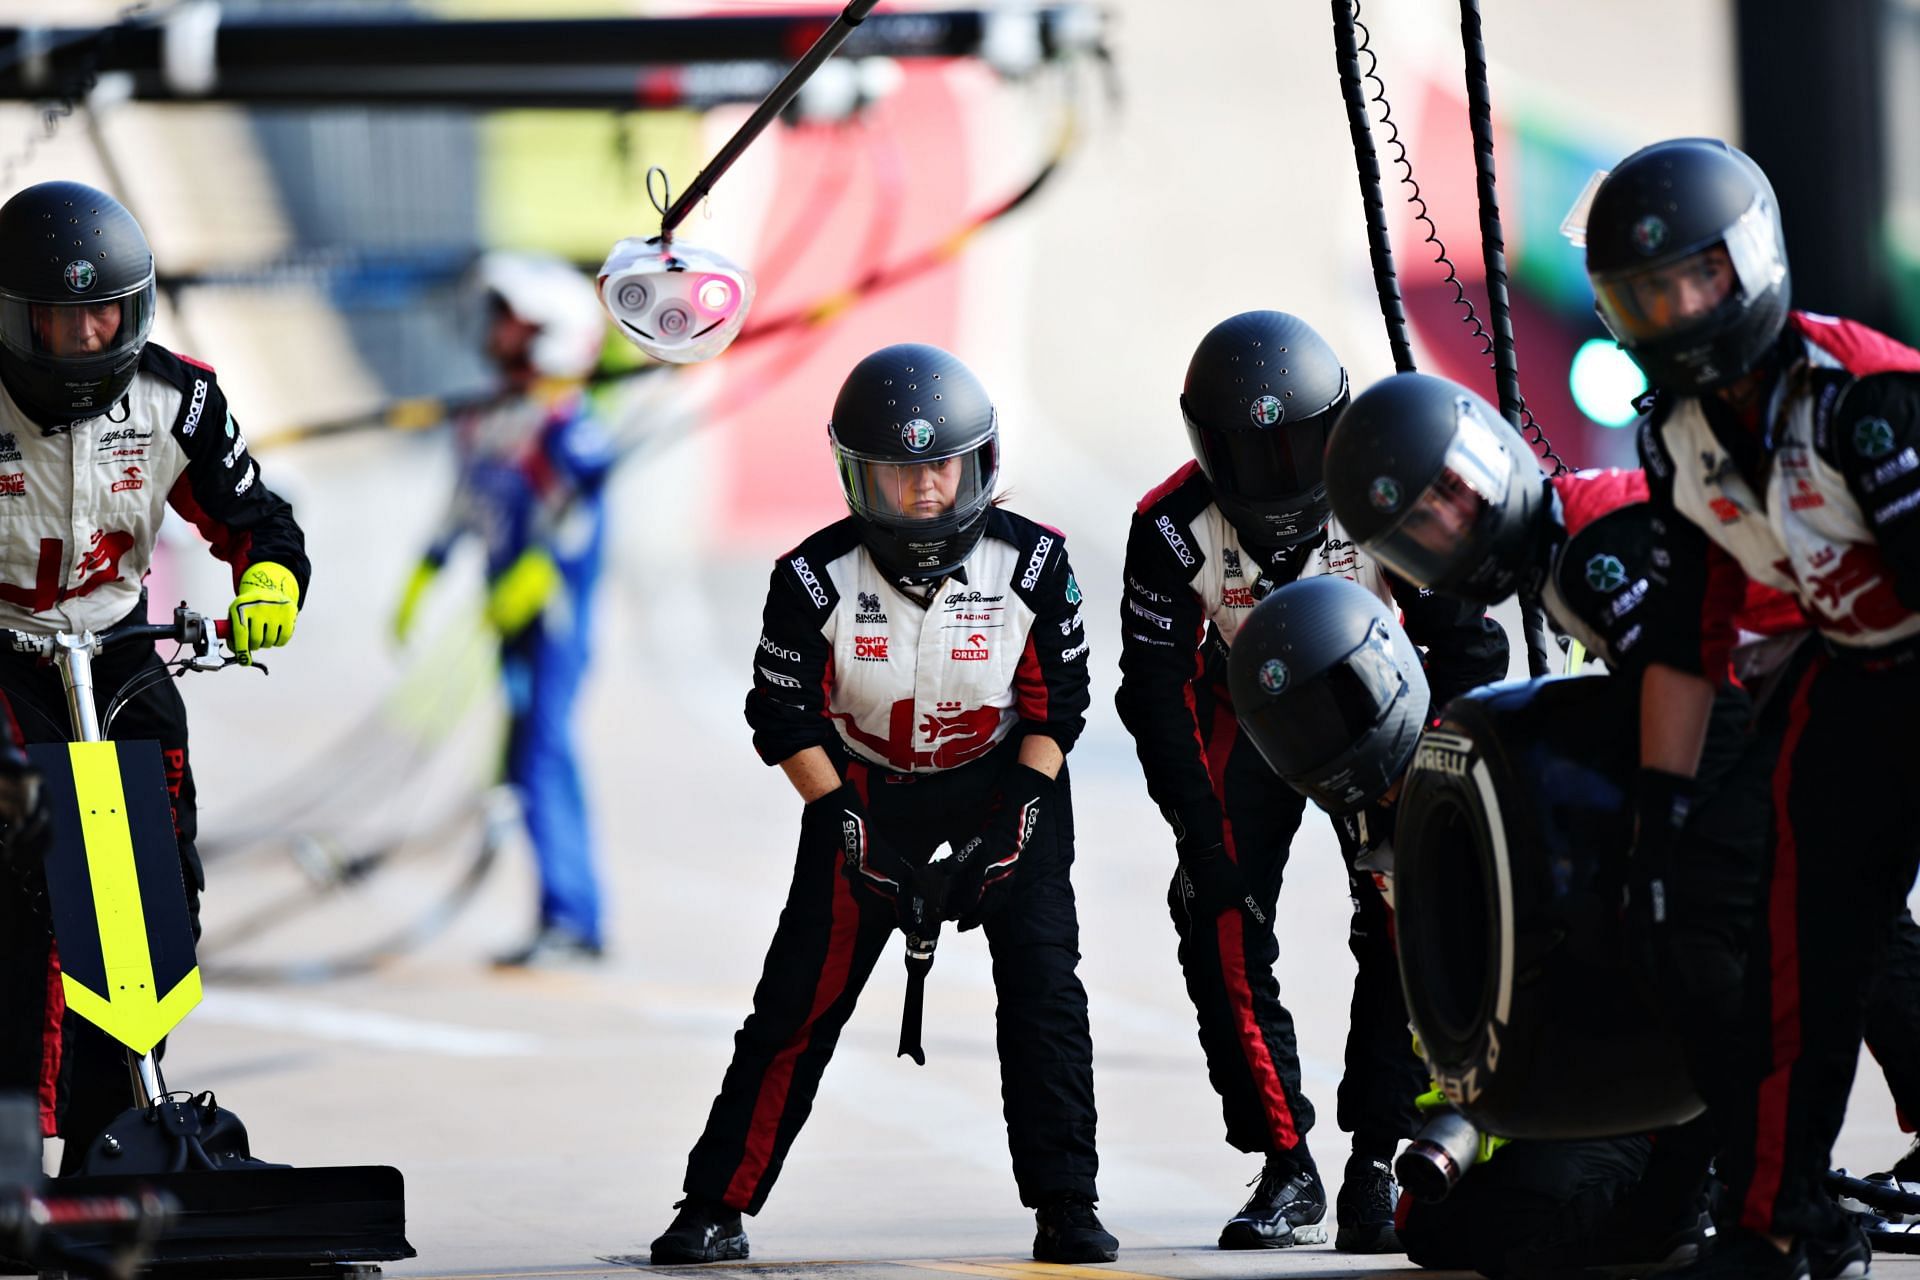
[1262, 392]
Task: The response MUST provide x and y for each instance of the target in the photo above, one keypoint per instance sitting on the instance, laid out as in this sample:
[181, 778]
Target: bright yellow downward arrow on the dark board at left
[132, 1010]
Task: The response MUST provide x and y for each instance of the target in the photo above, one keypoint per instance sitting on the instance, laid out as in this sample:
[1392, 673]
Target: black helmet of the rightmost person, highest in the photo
[1689, 262]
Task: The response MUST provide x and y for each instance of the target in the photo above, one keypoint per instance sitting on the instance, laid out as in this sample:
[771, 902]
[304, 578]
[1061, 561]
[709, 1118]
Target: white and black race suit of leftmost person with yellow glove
[80, 510]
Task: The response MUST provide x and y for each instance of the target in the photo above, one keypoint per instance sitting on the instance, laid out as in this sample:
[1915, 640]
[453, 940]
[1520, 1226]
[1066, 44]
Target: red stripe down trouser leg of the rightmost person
[1785, 995]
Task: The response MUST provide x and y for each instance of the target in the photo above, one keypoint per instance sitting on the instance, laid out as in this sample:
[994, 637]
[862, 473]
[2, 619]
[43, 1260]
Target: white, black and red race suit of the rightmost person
[1815, 496]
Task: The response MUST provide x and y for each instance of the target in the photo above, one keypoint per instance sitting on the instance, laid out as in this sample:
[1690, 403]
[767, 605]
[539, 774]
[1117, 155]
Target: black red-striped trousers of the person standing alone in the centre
[828, 939]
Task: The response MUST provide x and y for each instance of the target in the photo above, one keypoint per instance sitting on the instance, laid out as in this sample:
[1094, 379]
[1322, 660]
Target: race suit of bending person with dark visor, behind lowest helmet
[1189, 586]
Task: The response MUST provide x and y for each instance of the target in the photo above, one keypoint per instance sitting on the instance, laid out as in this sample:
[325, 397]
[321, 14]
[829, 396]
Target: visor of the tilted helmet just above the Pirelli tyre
[1437, 536]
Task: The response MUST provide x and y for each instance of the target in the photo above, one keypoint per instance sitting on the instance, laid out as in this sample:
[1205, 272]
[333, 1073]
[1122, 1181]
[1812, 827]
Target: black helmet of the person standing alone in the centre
[919, 452]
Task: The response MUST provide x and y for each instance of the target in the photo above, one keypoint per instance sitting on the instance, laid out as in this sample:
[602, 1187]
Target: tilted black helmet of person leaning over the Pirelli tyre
[1429, 477]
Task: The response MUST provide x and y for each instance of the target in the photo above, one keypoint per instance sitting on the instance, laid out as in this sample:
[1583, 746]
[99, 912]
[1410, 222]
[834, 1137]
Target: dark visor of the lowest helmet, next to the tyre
[1330, 715]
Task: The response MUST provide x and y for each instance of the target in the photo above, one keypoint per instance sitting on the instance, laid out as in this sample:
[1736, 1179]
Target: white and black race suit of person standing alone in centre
[923, 705]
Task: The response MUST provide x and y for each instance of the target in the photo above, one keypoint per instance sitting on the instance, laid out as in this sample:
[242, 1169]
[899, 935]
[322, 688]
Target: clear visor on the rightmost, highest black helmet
[1692, 291]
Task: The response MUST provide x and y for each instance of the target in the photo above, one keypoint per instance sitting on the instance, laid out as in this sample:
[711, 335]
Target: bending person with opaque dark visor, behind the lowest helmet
[1241, 519]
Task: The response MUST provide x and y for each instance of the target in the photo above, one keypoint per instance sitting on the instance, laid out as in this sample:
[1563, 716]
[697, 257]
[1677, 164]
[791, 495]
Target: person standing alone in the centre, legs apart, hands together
[921, 676]
